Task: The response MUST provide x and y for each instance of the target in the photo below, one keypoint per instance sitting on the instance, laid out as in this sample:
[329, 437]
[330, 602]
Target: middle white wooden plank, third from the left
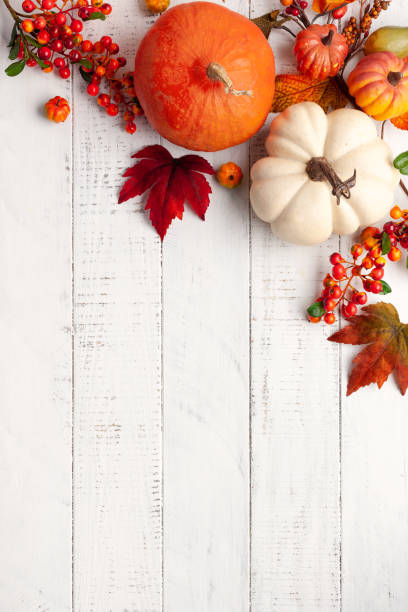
[206, 391]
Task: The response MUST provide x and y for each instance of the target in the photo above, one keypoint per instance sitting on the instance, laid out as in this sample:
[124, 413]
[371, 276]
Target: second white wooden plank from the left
[117, 424]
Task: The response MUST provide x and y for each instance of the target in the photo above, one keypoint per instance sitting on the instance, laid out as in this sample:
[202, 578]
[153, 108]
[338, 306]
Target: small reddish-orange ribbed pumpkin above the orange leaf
[320, 51]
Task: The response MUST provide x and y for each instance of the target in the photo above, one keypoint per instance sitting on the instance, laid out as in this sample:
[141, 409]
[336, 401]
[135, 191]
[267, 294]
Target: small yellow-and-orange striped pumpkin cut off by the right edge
[379, 84]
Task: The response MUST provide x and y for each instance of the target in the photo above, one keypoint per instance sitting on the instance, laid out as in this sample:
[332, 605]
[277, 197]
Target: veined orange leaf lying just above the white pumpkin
[293, 88]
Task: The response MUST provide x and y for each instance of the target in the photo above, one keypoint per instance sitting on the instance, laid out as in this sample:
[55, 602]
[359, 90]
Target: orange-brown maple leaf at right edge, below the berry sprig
[387, 347]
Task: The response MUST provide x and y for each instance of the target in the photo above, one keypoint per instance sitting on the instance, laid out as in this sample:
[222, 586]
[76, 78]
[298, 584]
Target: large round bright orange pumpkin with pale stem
[204, 76]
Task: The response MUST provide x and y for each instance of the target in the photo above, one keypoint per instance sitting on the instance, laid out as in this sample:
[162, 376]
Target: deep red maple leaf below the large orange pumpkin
[171, 182]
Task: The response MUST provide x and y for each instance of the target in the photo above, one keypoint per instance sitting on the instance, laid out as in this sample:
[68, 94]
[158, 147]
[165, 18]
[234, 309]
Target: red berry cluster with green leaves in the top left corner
[48, 34]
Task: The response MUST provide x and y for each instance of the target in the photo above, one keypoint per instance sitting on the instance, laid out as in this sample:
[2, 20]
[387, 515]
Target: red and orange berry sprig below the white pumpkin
[367, 265]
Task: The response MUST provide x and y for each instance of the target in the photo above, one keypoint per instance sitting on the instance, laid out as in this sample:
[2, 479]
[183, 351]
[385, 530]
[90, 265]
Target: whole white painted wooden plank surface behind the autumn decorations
[174, 436]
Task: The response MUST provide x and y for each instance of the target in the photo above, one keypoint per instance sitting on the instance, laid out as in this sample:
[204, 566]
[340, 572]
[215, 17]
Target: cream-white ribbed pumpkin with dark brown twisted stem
[305, 210]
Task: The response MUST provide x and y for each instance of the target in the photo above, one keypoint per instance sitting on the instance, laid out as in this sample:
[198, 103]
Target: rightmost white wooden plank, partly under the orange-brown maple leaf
[375, 458]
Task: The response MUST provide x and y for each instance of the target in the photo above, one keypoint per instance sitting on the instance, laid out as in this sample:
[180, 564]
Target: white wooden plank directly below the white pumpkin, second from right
[295, 418]
